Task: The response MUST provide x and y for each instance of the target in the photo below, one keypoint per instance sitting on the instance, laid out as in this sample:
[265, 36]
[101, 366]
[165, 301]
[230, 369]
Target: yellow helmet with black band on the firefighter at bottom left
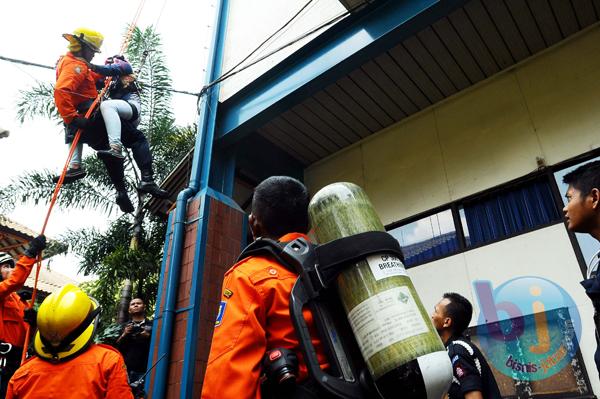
[67, 321]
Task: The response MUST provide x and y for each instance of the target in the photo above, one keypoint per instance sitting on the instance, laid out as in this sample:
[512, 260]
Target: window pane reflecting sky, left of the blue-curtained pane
[428, 238]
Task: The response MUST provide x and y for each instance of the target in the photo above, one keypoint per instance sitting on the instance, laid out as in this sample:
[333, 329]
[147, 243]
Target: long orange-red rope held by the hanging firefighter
[59, 184]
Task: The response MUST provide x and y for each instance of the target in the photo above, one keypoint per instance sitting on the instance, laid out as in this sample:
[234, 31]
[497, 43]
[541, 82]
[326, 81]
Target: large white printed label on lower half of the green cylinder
[384, 319]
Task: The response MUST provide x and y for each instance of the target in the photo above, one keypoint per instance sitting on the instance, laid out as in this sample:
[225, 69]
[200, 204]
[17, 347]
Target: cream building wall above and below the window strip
[546, 107]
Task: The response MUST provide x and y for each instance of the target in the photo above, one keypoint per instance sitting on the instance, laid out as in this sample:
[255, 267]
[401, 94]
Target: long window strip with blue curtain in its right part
[499, 214]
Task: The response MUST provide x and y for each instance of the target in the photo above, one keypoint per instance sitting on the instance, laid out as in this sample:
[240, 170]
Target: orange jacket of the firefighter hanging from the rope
[75, 83]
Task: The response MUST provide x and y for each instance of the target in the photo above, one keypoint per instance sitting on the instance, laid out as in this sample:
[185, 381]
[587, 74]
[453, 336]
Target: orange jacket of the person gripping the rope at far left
[12, 326]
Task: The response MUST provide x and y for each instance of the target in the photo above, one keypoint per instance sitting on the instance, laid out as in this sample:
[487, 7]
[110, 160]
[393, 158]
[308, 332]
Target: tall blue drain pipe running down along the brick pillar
[200, 161]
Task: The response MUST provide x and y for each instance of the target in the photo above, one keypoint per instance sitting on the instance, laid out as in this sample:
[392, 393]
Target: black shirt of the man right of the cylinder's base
[470, 371]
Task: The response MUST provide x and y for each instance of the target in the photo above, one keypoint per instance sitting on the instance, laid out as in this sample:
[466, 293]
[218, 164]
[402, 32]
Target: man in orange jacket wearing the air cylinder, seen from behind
[254, 312]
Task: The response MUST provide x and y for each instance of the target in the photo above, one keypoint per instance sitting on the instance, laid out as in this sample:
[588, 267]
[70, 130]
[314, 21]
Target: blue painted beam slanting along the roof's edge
[331, 55]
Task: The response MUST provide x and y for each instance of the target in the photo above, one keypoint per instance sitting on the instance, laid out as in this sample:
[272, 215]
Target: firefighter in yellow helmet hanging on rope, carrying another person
[74, 92]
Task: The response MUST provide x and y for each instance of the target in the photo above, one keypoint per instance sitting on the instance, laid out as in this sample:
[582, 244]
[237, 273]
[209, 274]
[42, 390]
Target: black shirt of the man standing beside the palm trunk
[135, 347]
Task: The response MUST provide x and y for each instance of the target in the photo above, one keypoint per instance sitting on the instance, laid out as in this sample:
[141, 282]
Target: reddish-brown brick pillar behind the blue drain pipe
[224, 228]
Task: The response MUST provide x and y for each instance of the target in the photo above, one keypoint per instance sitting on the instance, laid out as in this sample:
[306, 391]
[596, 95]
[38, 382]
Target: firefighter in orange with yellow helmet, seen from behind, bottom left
[68, 364]
